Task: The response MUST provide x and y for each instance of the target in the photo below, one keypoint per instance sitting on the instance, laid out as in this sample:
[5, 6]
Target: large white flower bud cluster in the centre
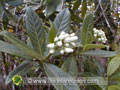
[64, 42]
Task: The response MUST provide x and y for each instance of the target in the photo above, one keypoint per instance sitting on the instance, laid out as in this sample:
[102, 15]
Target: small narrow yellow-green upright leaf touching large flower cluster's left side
[52, 33]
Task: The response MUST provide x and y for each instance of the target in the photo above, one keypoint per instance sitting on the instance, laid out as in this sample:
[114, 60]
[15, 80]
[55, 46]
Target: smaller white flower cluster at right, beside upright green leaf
[100, 35]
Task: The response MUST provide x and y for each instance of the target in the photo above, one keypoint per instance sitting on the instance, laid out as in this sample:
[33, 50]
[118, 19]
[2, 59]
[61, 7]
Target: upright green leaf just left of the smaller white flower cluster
[87, 27]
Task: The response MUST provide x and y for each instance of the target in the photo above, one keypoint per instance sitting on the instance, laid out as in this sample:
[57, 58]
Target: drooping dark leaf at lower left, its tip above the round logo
[20, 70]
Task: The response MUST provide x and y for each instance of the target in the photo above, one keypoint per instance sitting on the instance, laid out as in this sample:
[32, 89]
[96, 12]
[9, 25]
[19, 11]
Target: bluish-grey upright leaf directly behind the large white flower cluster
[62, 21]
